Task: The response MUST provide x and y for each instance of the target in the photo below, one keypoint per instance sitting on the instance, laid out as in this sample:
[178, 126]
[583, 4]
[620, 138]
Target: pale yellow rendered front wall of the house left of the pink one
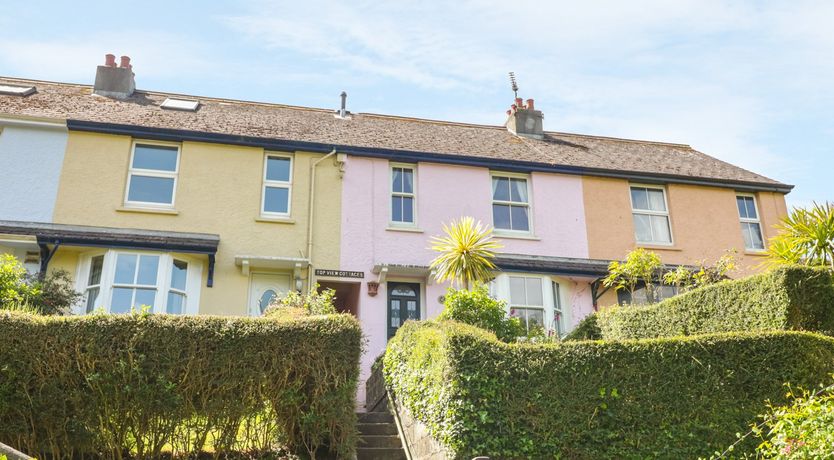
[218, 191]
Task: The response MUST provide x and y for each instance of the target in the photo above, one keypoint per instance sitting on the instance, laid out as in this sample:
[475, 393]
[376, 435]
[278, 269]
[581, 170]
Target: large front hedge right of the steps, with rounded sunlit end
[660, 398]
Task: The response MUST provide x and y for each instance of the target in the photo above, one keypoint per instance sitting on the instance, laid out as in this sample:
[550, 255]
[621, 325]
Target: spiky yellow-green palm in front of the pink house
[466, 253]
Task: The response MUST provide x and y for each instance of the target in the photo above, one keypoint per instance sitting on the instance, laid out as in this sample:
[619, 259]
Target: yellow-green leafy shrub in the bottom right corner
[802, 429]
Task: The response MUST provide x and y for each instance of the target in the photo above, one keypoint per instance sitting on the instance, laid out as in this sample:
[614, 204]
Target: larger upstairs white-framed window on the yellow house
[152, 176]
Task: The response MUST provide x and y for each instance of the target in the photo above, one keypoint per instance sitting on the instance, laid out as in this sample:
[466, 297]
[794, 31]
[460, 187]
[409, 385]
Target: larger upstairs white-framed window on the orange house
[651, 215]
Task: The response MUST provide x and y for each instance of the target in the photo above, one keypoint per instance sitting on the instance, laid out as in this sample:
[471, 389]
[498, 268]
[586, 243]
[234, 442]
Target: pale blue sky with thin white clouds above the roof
[751, 83]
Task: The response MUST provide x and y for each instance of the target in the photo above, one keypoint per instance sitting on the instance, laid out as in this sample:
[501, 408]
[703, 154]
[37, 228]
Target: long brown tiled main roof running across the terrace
[275, 121]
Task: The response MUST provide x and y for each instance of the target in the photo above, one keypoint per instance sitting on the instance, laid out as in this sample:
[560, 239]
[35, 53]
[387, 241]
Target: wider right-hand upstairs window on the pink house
[511, 203]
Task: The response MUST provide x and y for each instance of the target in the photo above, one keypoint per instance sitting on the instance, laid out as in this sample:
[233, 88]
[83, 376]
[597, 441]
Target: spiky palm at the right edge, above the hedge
[805, 237]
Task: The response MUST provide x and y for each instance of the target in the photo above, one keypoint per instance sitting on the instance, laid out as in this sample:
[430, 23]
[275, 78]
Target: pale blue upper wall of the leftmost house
[30, 165]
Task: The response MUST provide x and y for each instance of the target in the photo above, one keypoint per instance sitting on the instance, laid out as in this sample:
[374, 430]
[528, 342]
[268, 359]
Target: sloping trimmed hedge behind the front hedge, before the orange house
[789, 298]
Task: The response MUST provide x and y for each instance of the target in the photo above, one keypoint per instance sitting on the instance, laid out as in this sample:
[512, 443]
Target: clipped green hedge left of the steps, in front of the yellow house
[108, 385]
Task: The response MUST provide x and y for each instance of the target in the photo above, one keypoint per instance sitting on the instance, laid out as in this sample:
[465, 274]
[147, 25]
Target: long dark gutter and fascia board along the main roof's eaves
[408, 156]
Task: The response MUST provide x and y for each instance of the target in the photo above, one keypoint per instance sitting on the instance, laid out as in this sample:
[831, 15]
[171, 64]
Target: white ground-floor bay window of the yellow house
[124, 281]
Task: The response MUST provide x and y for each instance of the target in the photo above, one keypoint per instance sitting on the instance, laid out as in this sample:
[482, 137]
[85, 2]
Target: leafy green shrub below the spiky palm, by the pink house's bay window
[477, 308]
